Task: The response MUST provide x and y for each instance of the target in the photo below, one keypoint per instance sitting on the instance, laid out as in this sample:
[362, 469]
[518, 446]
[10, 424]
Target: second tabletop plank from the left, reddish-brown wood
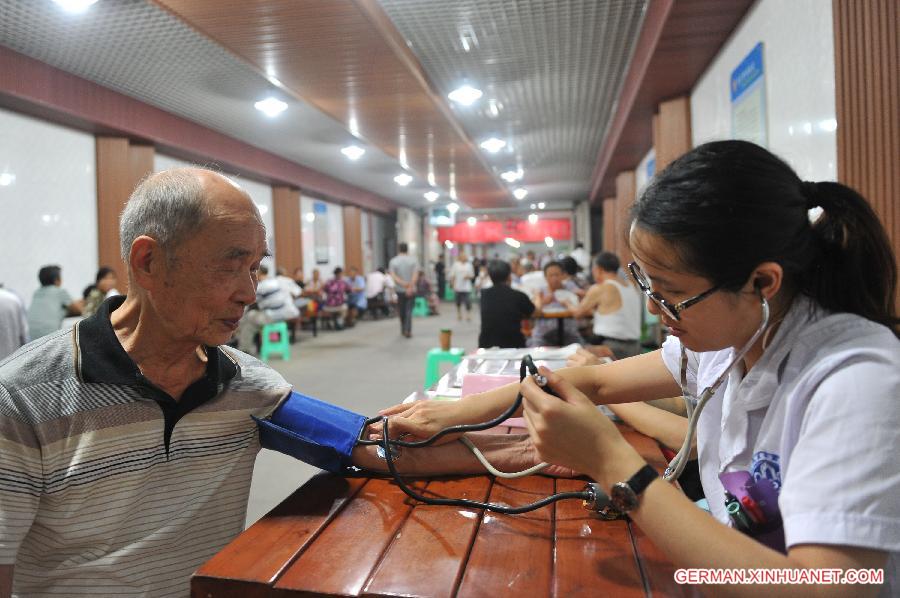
[344, 555]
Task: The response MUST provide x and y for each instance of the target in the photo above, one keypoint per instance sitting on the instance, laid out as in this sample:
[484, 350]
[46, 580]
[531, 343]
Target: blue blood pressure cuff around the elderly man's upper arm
[317, 433]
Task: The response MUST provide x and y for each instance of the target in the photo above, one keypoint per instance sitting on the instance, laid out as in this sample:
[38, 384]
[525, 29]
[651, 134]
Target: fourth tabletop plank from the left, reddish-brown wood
[513, 554]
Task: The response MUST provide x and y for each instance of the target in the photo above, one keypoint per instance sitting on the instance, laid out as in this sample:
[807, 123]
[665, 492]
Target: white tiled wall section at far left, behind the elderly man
[49, 205]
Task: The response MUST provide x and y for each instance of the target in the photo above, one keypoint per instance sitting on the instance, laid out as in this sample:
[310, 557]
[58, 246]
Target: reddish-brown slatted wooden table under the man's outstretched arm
[363, 537]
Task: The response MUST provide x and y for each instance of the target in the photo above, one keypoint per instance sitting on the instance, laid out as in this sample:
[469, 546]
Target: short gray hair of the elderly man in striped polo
[167, 206]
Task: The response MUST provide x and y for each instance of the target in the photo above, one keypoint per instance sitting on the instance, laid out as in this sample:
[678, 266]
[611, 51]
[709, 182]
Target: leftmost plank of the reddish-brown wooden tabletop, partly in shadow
[260, 553]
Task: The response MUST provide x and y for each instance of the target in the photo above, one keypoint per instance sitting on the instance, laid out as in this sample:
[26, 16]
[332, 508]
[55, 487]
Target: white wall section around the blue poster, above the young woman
[798, 58]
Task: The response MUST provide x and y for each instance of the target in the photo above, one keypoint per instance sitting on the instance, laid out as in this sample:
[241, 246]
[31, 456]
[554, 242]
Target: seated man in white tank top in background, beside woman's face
[615, 306]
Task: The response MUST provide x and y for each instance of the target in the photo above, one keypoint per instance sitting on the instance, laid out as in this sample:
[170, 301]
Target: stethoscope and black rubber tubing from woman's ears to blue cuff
[590, 496]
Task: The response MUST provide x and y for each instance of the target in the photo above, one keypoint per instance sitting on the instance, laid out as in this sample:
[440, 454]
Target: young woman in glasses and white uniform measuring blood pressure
[808, 414]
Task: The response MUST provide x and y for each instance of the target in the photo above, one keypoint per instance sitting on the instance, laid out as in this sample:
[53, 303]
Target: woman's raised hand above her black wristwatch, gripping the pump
[569, 431]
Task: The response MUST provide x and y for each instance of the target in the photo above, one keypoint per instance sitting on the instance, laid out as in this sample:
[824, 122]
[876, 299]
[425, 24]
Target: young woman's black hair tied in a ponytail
[728, 206]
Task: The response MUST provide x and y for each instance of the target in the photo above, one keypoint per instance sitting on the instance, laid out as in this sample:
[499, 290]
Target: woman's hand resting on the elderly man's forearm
[419, 420]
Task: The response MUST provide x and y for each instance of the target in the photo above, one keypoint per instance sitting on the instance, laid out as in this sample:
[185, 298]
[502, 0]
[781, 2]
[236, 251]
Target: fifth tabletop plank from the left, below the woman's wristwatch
[593, 556]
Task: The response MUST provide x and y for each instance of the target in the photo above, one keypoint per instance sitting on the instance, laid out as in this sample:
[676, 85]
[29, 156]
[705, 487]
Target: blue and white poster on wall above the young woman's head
[748, 99]
